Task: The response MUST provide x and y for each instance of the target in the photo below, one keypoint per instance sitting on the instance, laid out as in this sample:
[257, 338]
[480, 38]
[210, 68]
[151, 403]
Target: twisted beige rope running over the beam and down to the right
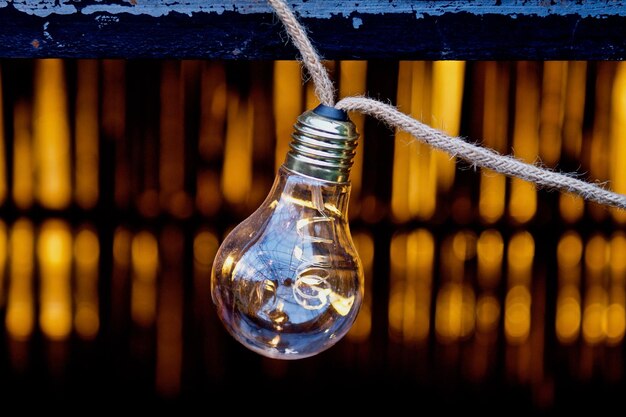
[476, 155]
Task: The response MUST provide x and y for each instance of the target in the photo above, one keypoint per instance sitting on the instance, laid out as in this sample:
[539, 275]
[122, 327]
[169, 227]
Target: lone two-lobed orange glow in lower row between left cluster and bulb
[145, 262]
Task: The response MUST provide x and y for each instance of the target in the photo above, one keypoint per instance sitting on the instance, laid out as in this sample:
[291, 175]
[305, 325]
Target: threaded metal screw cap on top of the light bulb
[324, 144]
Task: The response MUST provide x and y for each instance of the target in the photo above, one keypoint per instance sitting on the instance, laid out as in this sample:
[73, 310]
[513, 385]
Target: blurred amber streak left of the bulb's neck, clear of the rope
[237, 170]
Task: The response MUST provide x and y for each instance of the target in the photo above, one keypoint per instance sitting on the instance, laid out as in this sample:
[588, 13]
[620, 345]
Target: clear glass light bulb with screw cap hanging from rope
[287, 282]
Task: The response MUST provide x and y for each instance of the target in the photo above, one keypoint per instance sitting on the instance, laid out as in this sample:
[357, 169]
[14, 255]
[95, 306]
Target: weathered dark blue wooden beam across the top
[366, 29]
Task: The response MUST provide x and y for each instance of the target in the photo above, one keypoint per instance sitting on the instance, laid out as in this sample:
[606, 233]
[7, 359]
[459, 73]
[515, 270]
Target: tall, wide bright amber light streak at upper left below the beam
[51, 135]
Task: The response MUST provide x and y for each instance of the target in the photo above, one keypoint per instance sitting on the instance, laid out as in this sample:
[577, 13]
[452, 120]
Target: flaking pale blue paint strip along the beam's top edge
[321, 9]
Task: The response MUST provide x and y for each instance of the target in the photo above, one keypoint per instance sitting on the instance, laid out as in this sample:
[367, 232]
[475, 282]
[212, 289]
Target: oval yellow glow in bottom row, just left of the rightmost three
[517, 314]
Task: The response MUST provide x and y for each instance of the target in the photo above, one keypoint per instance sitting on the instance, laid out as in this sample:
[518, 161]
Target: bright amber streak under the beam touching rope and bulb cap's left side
[287, 104]
